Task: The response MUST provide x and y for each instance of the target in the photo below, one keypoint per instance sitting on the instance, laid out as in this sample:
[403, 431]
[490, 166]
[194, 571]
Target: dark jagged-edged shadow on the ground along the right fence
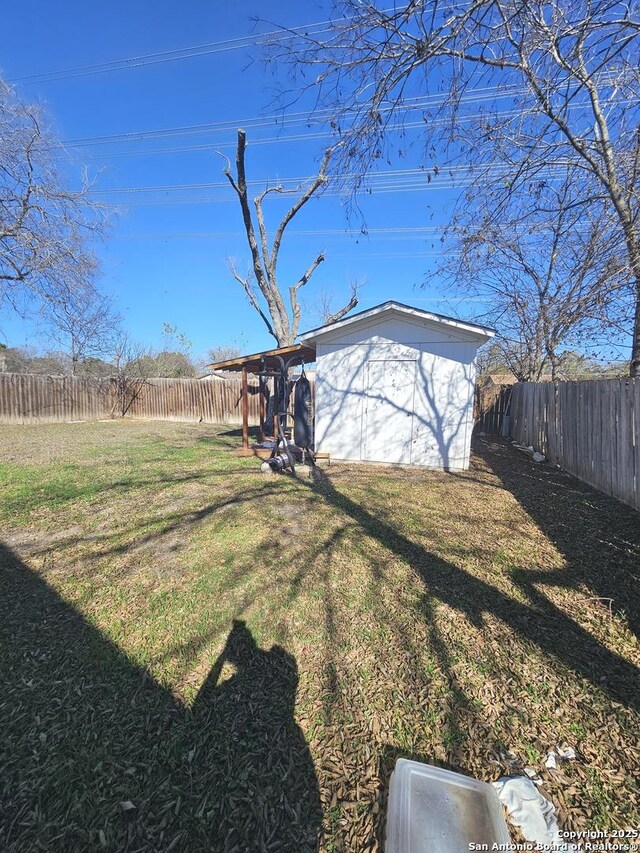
[598, 536]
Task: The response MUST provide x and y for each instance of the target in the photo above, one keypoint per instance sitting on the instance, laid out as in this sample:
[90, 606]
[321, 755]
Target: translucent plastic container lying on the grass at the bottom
[436, 811]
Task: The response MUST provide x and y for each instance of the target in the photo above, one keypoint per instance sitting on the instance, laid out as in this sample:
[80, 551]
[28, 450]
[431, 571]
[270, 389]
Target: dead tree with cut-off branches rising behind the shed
[280, 314]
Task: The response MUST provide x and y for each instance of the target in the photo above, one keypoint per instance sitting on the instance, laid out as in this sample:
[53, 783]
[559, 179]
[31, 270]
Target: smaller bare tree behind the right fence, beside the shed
[548, 272]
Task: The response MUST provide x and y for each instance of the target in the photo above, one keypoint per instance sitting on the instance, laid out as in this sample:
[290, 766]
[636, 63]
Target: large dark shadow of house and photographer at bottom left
[97, 756]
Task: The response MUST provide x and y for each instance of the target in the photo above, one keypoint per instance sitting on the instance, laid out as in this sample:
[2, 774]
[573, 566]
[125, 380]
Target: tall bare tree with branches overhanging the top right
[564, 76]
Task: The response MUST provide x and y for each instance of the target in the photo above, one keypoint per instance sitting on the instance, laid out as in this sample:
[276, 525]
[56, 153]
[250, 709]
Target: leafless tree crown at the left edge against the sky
[44, 227]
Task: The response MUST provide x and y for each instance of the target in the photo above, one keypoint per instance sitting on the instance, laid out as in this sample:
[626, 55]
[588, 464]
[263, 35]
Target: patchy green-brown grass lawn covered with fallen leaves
[199, 657]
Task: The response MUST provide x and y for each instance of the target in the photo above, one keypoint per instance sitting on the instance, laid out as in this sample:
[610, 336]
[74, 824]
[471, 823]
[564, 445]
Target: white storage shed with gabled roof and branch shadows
[396, 384]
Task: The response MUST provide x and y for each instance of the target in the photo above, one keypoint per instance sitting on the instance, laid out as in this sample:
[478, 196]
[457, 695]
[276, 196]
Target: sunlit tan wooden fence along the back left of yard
[27, 399]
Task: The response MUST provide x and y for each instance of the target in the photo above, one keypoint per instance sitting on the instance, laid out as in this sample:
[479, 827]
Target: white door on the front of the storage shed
[388, 415]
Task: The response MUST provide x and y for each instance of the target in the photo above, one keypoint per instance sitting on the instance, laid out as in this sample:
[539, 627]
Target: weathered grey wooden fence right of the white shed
[589, 428]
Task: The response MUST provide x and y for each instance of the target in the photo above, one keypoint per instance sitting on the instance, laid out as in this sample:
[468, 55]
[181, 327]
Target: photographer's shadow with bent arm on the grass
[267, 791]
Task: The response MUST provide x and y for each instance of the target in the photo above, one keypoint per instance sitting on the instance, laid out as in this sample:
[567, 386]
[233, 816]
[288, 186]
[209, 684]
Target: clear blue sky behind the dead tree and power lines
[154, 263]
